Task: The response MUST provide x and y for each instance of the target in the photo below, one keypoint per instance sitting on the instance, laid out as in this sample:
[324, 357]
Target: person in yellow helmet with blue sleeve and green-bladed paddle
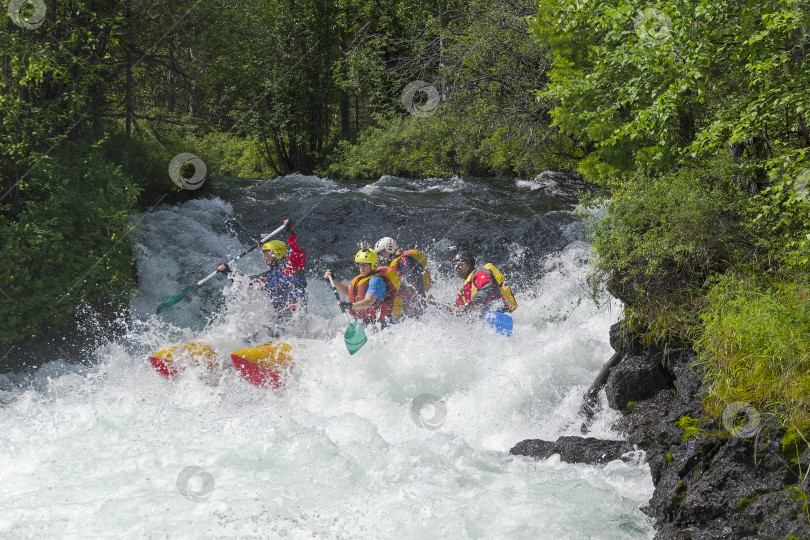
[374, 294]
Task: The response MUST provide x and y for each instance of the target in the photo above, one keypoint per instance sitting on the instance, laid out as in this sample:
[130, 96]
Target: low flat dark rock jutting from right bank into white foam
[574, 449]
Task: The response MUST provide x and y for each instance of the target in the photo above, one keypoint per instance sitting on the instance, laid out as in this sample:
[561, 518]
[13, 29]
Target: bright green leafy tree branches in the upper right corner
[649, 84]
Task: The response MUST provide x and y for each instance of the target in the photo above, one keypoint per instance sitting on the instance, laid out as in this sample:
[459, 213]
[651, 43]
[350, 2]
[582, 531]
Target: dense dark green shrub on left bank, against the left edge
[71, 244]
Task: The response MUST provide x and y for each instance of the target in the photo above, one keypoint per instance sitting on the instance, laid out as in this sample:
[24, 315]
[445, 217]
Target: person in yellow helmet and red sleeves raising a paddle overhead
[285, 283]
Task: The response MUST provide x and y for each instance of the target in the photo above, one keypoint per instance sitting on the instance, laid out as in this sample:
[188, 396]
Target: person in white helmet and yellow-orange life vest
[411, 267]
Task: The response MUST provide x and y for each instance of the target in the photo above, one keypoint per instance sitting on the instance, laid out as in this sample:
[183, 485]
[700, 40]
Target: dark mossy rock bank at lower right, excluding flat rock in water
[710, 483]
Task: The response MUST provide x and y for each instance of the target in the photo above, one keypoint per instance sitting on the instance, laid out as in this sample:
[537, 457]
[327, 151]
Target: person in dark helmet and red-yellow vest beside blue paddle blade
[483, 289]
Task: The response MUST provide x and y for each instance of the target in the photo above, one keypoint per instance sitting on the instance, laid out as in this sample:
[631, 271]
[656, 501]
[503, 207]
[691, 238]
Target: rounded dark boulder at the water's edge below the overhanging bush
[636, 378]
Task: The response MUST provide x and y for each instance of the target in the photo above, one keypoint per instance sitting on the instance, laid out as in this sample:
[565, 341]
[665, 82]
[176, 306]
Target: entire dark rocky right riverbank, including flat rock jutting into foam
[714, 477]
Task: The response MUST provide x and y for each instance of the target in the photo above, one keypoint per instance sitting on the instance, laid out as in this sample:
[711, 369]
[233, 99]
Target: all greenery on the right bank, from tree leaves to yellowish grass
[696, 246]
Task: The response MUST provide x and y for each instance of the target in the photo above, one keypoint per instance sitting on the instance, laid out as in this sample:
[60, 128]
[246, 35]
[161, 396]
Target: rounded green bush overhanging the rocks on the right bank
[660, 238]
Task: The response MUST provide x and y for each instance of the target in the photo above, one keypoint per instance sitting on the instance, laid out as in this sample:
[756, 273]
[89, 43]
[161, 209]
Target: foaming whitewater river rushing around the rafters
[110, 449]
